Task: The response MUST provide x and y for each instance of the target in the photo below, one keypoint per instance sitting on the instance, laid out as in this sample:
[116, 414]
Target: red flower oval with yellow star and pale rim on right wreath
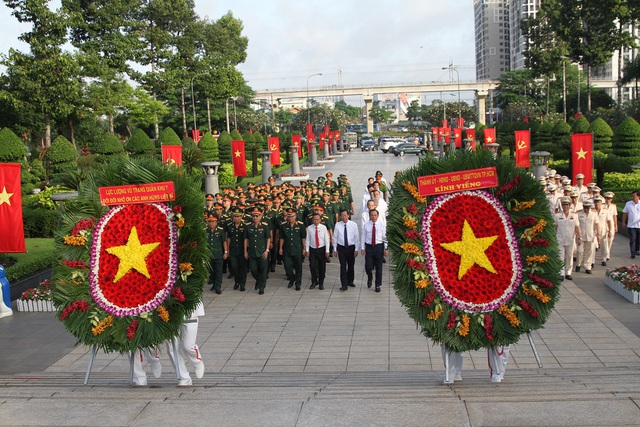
[472, 251]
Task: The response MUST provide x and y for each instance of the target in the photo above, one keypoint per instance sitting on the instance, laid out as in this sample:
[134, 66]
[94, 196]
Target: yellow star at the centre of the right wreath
[471, 250]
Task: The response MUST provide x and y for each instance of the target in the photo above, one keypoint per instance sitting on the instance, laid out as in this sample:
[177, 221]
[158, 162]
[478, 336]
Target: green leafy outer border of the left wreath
[72, 284]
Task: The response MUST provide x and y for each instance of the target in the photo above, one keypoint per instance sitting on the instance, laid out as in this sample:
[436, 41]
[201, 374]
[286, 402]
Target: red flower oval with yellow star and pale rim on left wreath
[133, 259]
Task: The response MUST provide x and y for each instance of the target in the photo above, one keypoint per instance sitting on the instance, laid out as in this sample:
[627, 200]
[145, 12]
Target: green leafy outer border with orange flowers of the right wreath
[492, 329]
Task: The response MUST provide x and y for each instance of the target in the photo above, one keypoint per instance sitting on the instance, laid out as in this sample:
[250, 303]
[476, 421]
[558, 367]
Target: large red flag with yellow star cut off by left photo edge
[11, 228]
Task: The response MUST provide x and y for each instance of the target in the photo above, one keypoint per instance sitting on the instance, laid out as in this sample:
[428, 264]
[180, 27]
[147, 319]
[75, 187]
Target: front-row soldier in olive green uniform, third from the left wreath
[257, 239]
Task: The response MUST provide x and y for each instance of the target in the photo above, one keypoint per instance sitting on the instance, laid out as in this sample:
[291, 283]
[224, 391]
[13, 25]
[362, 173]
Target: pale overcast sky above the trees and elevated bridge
[350, 42]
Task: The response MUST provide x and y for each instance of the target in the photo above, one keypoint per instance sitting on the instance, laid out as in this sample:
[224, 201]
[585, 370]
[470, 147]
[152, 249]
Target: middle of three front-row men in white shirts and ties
[346, 240]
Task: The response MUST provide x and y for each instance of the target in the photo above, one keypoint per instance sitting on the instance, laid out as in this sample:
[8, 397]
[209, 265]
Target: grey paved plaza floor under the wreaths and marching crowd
[313, 357]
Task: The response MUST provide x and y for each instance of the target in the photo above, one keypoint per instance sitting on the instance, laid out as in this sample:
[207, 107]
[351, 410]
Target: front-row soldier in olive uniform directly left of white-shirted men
[292, 243]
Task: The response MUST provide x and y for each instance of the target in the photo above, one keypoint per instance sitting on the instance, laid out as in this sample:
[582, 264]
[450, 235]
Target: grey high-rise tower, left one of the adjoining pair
[492, 38]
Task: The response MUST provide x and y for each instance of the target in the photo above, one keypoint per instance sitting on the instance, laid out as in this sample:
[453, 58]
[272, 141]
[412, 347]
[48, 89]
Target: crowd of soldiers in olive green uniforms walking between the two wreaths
[256, 228]
